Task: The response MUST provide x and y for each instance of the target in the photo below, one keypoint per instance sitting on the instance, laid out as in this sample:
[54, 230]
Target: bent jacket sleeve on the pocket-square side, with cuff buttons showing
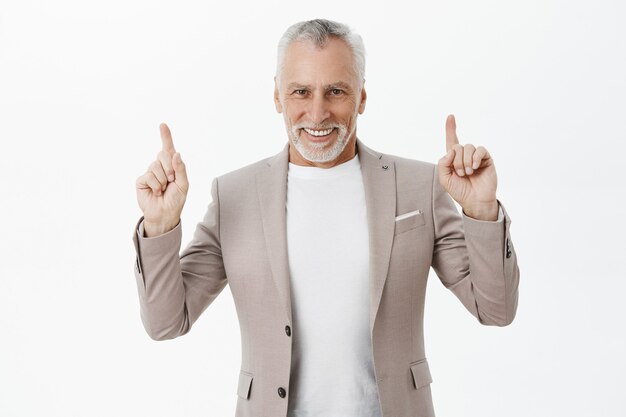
[475, 260]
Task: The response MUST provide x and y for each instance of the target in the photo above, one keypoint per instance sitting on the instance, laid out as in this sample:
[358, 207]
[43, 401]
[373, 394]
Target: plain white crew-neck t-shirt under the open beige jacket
[332, 371]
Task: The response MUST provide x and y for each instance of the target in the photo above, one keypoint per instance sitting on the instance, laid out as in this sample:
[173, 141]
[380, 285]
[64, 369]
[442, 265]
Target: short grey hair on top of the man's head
[319, 31]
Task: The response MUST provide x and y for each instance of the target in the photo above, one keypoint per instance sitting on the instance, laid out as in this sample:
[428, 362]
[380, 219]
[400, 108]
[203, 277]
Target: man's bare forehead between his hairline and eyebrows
[306, 63]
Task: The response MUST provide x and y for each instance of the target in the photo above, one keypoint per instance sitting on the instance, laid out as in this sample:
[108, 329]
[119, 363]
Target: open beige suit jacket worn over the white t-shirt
[241, 241]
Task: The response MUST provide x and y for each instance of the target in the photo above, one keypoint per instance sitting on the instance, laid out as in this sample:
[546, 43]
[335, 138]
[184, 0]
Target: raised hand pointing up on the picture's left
[162, 190]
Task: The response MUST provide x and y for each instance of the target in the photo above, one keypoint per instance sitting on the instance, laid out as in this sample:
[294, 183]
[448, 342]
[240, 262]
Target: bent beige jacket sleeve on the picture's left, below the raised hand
[174, 289]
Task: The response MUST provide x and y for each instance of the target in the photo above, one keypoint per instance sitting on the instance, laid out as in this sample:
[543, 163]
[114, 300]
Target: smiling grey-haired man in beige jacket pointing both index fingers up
[327, 247]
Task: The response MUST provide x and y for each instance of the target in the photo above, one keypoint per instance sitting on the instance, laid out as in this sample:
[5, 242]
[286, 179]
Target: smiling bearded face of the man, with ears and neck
[320, 97]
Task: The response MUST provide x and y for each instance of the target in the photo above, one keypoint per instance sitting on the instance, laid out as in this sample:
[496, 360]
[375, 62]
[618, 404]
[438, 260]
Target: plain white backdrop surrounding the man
[84, 86]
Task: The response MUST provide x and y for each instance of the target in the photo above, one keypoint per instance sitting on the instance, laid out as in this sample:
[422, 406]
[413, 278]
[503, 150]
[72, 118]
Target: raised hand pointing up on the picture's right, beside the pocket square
[468, 174]
